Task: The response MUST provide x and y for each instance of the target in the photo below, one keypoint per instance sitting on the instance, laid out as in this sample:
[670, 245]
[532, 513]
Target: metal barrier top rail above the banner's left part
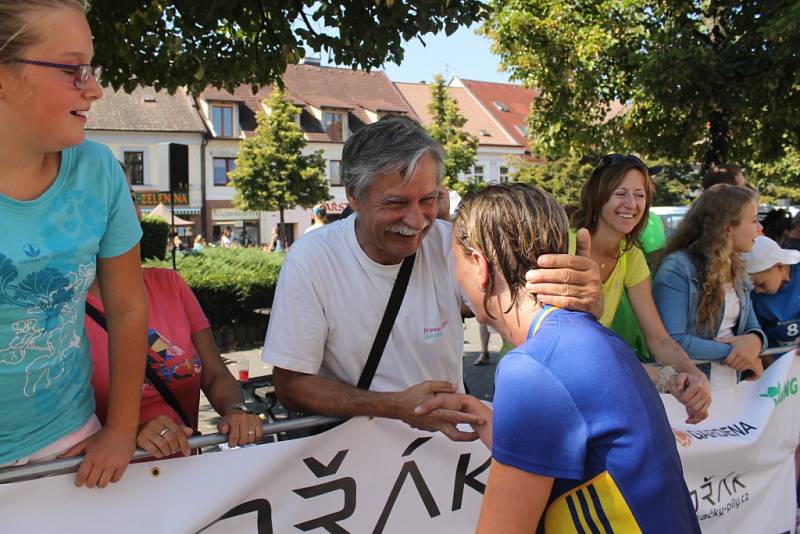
[70, 465]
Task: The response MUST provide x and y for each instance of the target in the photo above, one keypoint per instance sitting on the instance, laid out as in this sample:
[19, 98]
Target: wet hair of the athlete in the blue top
[512, 225]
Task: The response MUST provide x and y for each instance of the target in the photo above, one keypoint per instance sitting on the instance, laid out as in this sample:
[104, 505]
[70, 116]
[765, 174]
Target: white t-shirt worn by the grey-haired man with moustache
[330, 300]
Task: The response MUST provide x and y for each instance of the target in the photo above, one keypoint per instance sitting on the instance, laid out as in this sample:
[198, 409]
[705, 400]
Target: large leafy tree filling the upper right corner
[701, 80]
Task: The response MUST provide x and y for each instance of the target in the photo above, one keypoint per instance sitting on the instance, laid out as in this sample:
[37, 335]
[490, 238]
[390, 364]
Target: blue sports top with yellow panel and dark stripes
[574, 403]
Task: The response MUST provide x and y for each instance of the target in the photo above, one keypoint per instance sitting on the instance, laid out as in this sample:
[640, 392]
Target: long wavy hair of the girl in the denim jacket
[703, 234]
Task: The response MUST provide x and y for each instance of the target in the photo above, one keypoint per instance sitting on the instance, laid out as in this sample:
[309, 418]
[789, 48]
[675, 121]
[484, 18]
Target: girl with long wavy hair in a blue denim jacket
[701, 288]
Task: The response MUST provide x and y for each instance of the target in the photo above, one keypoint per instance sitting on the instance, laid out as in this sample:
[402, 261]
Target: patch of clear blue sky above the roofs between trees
[463, 54]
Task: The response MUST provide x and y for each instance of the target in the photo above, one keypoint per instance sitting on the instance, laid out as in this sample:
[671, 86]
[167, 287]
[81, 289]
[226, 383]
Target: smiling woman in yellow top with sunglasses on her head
[614, 207]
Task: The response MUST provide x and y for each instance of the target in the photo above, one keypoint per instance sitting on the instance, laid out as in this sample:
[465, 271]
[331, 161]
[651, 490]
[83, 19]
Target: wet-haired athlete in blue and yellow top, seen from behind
[580, 440]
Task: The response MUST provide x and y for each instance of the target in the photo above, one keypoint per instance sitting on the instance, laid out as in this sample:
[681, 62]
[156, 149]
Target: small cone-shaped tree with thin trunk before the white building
[272, 173]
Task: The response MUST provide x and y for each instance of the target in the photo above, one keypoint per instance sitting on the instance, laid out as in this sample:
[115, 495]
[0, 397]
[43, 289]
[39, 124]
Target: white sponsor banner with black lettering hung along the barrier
[377, 475]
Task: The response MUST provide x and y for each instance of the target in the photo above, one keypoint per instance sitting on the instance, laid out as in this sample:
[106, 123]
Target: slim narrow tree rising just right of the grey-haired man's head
[446, 127]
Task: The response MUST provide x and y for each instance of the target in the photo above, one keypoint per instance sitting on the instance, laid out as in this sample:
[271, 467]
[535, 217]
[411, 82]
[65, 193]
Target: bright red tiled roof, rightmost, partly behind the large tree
[515, 99]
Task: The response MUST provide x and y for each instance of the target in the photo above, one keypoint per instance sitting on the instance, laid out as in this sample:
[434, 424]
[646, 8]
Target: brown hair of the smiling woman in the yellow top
[602, 183]
